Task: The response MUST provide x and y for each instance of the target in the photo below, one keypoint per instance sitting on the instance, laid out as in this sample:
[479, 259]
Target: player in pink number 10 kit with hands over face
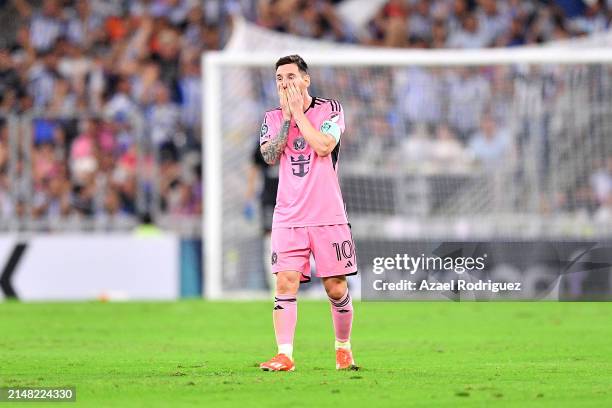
[303, 134]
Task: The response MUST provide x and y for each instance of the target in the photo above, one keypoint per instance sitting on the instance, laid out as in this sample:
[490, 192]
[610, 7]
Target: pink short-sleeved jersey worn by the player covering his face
[308, 190]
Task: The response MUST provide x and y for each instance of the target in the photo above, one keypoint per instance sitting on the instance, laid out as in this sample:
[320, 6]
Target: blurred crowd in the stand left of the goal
[104, 80]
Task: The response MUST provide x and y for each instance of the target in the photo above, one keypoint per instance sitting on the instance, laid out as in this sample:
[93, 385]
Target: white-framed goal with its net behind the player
[439, 145]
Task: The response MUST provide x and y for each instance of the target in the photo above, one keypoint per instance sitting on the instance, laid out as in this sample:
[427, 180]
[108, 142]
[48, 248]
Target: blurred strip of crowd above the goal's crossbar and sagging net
[441, 23]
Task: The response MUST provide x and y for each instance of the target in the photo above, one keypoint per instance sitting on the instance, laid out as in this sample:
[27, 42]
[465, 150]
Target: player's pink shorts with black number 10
[332, 247]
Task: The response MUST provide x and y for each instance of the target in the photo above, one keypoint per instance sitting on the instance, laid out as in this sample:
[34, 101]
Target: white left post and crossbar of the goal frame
[218, 91]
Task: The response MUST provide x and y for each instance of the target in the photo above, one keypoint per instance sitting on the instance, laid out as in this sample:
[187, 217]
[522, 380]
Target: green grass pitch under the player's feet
[197, 353]
